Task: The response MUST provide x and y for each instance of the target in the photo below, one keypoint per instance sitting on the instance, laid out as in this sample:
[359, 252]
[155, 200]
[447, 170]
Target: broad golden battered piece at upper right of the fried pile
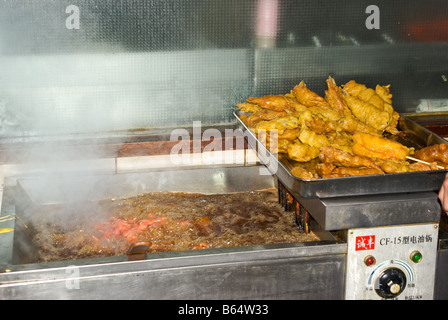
[367, 112]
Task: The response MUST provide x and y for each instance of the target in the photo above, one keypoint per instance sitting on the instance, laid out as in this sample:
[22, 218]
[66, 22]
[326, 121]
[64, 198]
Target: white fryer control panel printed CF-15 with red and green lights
[396, 262]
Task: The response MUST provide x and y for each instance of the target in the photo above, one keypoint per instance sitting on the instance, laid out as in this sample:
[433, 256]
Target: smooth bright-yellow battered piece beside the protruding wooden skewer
[379, 147]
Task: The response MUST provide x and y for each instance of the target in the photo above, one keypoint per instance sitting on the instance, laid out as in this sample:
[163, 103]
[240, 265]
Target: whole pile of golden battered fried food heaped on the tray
[343, 132]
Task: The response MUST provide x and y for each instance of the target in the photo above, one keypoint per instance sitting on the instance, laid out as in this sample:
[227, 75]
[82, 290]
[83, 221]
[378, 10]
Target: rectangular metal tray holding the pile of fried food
[412, 135]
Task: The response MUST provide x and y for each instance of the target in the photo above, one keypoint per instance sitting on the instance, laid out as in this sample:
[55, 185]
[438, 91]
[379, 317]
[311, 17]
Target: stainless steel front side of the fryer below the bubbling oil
[279, 272]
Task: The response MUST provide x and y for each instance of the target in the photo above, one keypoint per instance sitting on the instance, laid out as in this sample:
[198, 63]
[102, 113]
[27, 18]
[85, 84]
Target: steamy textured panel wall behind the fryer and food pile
[106, 65]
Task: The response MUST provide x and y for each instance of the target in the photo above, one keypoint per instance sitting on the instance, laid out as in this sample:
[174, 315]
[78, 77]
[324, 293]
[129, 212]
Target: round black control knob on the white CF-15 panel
[390, 283]
